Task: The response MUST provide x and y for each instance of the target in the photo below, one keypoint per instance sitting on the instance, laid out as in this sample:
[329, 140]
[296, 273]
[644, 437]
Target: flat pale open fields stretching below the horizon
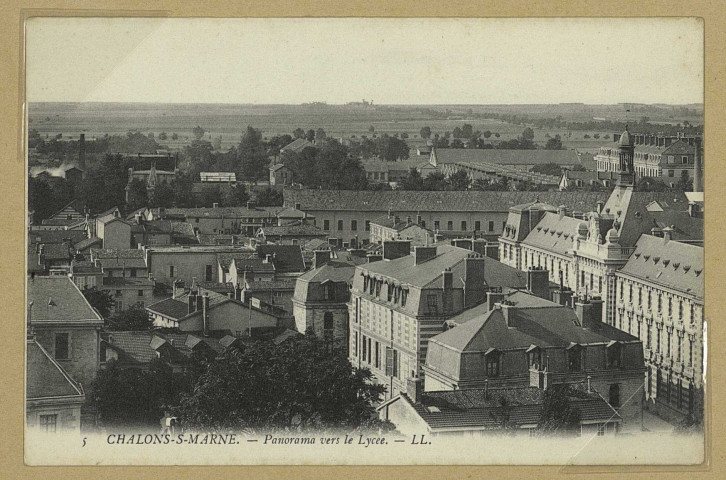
[230, 121]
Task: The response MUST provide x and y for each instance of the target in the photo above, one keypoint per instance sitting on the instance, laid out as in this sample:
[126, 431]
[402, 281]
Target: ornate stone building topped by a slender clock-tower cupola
[582, 251]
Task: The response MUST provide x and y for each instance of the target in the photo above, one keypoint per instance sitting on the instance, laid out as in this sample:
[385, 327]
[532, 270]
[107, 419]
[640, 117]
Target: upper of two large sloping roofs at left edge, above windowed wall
[58, 299]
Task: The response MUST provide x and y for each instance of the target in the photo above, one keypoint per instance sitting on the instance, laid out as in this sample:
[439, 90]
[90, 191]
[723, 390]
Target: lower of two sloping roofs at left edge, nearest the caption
[46, 378]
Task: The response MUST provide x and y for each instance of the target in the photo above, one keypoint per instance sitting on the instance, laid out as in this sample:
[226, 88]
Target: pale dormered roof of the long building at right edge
[671, 264]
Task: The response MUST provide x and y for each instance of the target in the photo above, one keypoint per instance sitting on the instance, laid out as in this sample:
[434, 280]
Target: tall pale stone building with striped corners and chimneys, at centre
[400, 302]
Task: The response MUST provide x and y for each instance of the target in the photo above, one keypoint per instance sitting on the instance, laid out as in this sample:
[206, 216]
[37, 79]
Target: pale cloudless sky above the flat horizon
[391, 61]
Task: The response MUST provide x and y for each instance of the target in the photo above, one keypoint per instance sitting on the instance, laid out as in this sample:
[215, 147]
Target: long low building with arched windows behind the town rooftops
[346, 215]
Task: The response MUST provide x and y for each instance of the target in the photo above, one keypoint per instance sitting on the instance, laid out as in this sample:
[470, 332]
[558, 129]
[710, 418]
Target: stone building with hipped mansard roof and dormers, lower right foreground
[520, 340]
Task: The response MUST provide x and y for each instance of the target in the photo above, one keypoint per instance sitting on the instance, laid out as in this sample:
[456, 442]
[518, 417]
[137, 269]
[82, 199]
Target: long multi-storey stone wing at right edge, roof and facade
[659, 299]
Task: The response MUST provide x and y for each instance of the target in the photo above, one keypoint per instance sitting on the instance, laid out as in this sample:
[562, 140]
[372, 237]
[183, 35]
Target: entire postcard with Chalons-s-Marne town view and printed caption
[365, 241]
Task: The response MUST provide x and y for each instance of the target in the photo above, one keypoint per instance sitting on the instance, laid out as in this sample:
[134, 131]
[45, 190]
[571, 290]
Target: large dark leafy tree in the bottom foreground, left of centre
[298, 385]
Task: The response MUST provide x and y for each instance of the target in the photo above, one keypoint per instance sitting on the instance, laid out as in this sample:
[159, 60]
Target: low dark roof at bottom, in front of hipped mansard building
[480, 408]
